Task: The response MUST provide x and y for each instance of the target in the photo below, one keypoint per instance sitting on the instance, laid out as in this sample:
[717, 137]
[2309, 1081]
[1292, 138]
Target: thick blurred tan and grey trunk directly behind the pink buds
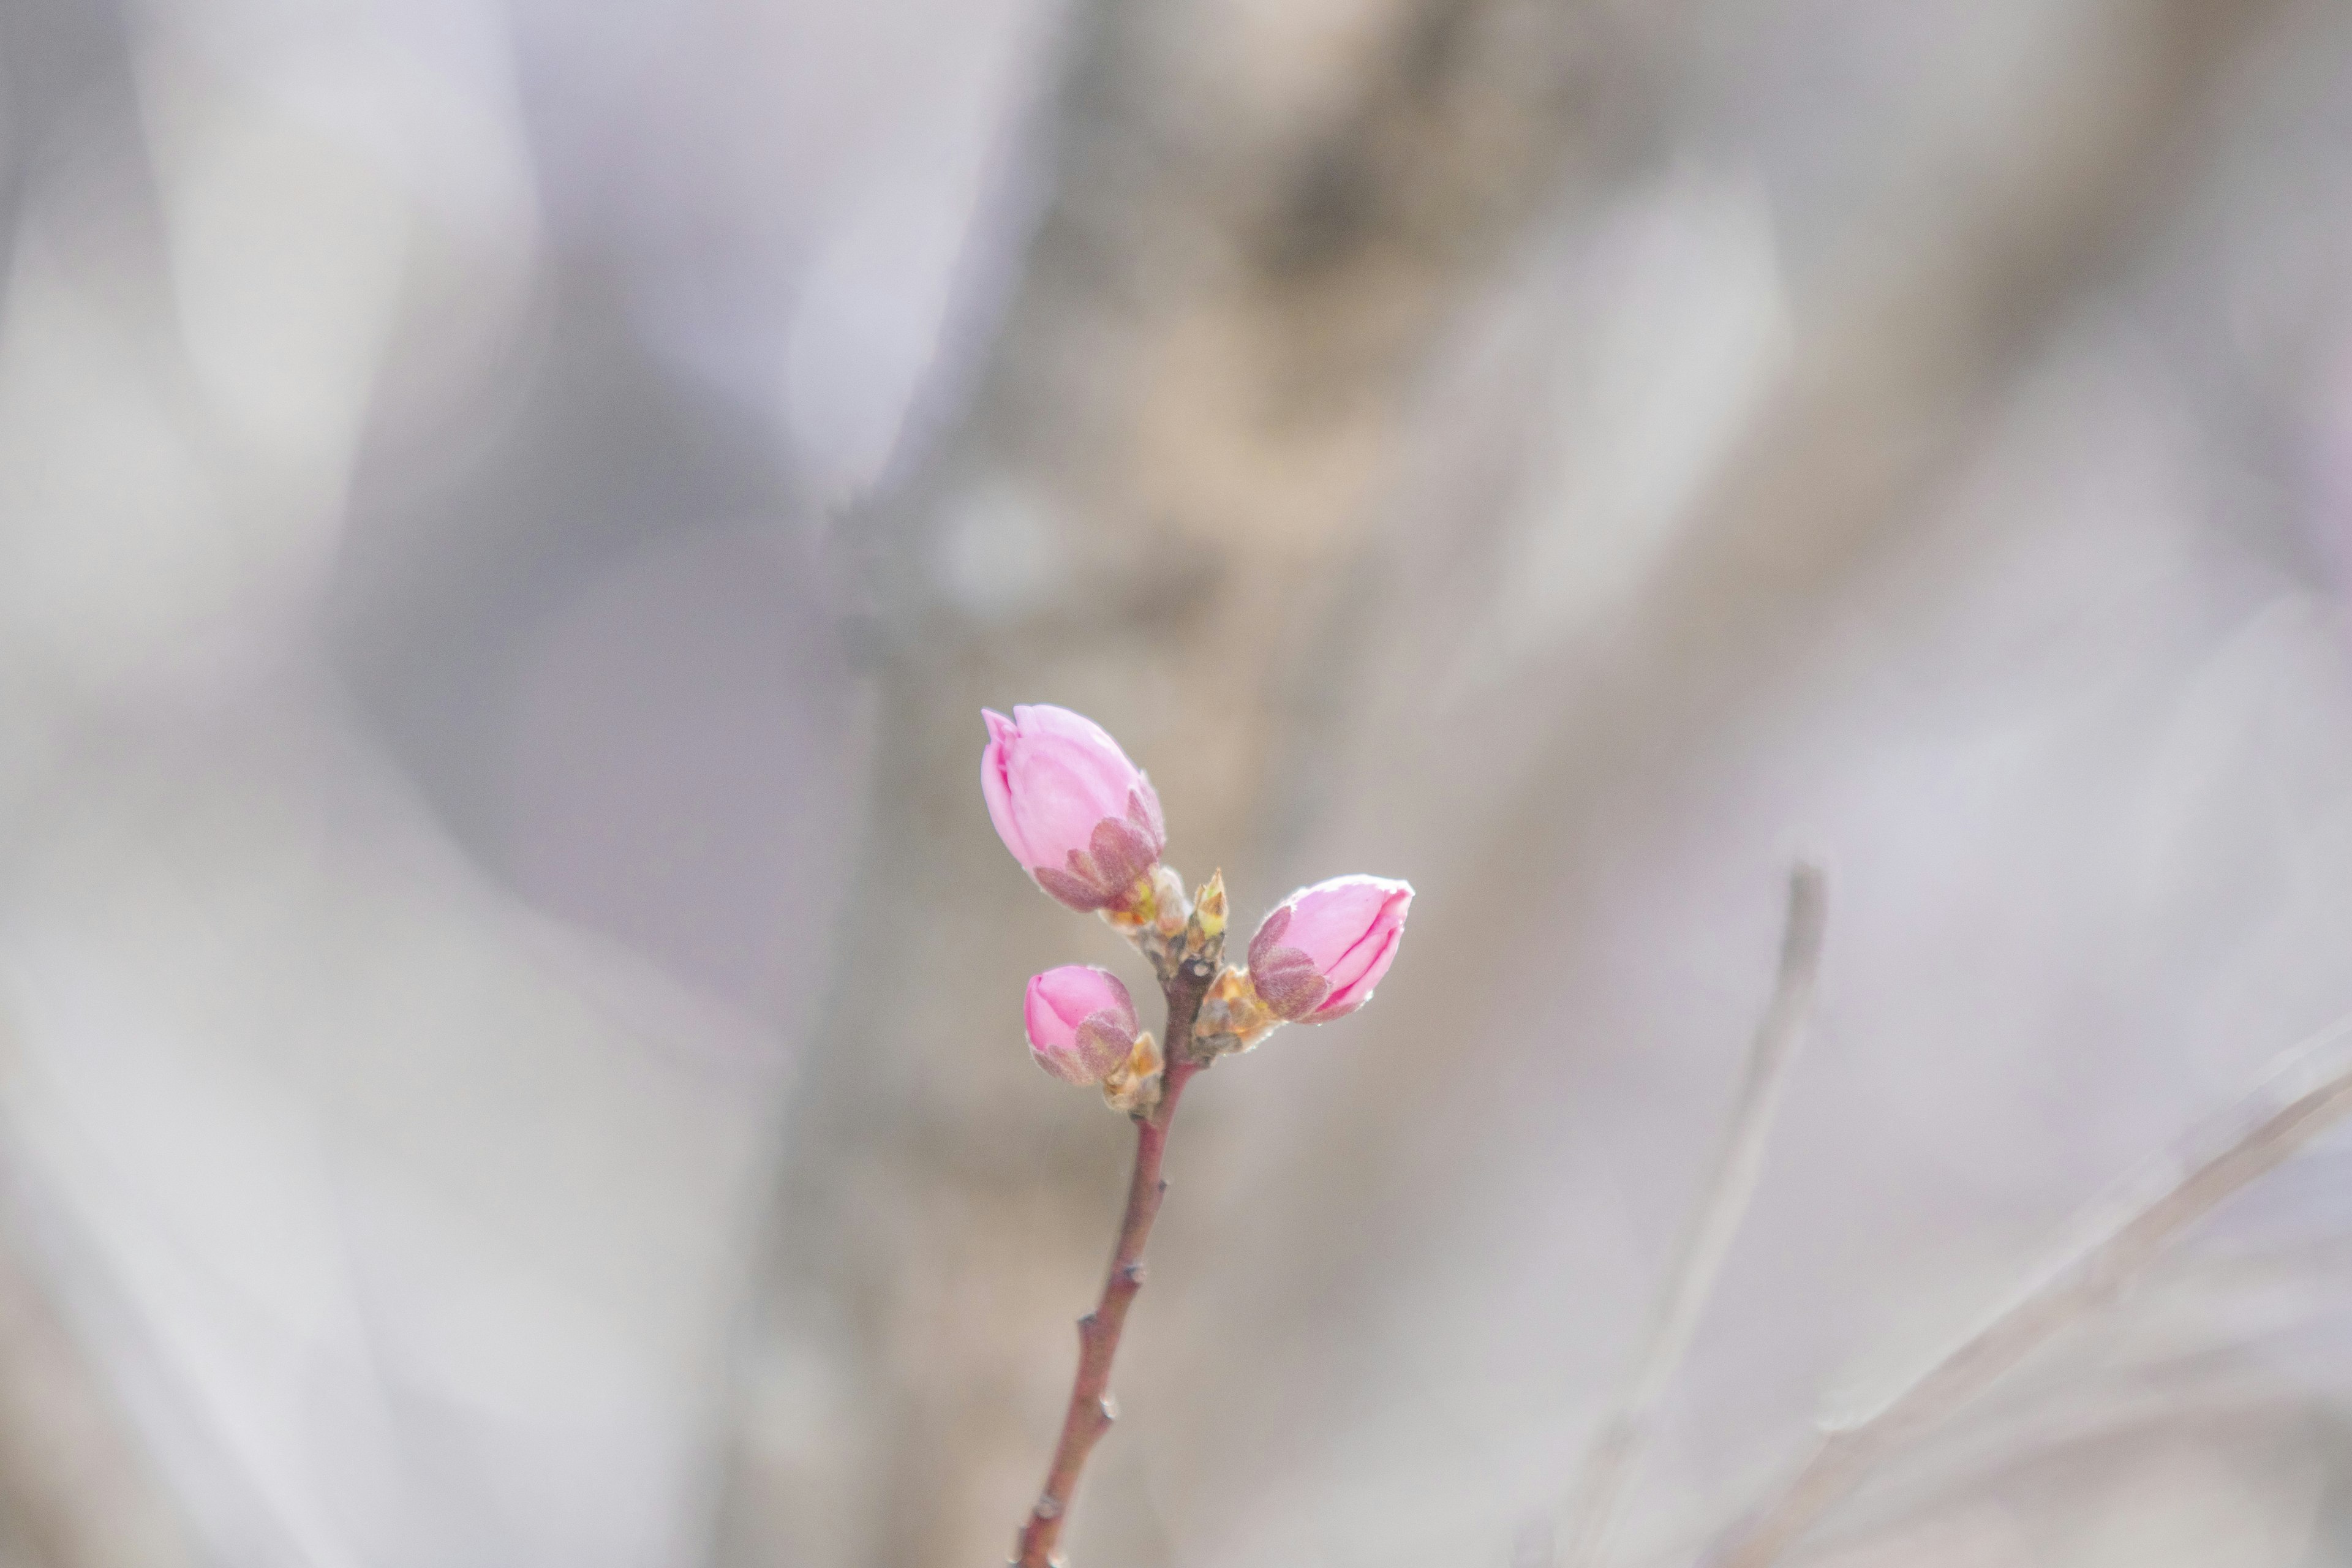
[1182, 431]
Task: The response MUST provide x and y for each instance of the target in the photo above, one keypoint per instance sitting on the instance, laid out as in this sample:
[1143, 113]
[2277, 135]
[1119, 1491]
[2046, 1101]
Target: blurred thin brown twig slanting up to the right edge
[2219, 1160]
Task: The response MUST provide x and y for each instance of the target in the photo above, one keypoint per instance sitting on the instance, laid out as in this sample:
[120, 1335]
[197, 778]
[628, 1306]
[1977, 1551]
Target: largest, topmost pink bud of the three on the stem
[1074, 810]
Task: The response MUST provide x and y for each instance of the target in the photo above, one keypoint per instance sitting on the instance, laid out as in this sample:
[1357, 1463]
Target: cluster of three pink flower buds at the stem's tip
[1085, 824]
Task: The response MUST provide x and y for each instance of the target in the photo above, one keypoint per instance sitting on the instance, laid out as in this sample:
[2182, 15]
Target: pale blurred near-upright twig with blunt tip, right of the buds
[1713, 1226]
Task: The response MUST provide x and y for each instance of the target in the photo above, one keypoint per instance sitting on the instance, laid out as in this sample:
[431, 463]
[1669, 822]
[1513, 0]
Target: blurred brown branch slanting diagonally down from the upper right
[1890, 391]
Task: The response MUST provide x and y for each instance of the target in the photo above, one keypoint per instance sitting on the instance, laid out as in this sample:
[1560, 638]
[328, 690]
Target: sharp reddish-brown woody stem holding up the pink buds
[1100, 1332]
